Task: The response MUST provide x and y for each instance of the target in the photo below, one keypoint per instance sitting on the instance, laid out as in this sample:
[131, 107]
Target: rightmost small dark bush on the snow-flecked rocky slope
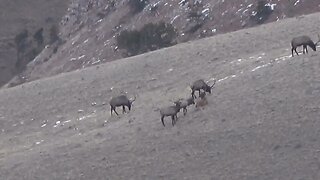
[262, 12]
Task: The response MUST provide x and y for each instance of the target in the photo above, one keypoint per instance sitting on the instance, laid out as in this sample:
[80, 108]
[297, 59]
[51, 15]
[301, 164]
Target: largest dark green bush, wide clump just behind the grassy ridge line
[149, 38]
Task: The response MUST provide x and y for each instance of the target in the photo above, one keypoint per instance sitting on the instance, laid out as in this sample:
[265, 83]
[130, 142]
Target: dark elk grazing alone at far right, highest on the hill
[303, 41]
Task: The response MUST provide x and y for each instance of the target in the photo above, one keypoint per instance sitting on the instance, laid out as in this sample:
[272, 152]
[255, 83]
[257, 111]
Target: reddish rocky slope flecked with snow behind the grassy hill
[89, 28]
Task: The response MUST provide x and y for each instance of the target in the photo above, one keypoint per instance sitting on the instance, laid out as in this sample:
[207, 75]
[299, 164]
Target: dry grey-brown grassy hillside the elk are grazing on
[261, 121]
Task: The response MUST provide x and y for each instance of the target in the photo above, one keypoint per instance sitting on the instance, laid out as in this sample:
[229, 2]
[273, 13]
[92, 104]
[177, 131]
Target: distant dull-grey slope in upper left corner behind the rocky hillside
[17, 17]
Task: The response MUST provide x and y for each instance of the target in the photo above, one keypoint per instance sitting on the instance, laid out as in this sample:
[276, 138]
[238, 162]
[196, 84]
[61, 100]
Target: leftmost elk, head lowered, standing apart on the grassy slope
[121, 100]
